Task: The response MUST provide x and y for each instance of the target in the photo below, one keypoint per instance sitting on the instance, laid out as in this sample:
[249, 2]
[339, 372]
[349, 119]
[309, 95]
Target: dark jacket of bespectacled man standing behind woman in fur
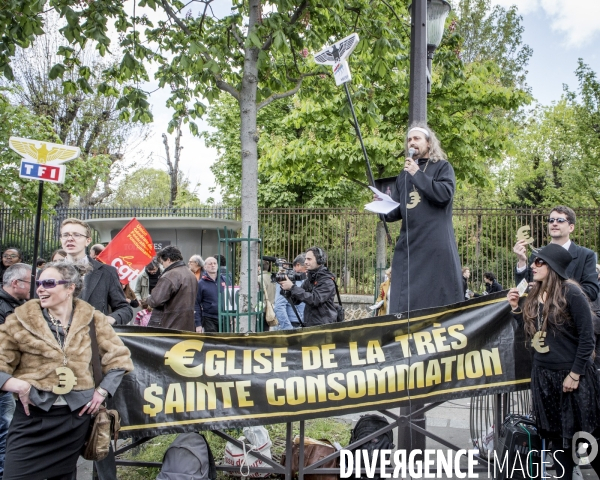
[102, 290]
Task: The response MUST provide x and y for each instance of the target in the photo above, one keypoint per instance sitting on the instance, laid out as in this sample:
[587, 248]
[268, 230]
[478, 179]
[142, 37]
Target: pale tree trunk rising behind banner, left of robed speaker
[249, 142]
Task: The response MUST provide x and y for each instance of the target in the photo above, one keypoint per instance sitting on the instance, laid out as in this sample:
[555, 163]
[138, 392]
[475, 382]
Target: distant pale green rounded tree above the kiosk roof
[150, 187]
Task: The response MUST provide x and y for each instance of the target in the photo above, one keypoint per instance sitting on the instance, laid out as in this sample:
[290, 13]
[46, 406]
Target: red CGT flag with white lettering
[129, 252]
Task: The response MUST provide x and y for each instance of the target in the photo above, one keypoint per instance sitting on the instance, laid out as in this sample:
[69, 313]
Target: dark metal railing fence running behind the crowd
[485, 237]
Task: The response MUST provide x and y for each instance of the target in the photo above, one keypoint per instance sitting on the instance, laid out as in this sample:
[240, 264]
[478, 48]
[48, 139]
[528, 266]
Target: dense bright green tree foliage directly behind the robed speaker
[308, 150]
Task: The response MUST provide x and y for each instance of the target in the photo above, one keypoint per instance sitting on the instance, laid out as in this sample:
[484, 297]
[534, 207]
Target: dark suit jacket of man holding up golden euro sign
[582, 269]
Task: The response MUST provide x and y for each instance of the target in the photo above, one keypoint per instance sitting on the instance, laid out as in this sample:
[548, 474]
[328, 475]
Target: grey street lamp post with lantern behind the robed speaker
[427, 28]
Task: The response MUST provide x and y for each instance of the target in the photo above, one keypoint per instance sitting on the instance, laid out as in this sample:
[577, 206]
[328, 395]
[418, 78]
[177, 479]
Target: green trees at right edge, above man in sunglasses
[558, 151]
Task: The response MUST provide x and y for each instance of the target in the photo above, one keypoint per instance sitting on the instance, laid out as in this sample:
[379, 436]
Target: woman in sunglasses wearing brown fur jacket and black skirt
[45, 358]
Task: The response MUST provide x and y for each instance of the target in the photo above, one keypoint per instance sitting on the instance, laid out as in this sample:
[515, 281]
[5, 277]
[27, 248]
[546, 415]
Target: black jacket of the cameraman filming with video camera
[318, 293]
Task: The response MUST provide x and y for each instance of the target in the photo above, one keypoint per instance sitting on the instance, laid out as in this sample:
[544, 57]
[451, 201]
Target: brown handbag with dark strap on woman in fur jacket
[106, 423]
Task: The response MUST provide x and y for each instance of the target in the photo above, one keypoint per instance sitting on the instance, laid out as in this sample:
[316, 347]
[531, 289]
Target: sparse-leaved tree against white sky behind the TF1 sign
[80, 117]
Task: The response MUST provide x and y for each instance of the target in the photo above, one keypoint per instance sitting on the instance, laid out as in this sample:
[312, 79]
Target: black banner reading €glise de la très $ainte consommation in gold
[187, 381]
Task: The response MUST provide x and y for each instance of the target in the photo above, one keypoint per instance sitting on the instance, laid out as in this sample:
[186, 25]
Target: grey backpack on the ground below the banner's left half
[188, 458]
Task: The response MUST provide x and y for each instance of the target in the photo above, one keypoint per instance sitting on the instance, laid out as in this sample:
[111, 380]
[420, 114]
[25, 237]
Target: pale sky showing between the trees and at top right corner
[558, 31]
